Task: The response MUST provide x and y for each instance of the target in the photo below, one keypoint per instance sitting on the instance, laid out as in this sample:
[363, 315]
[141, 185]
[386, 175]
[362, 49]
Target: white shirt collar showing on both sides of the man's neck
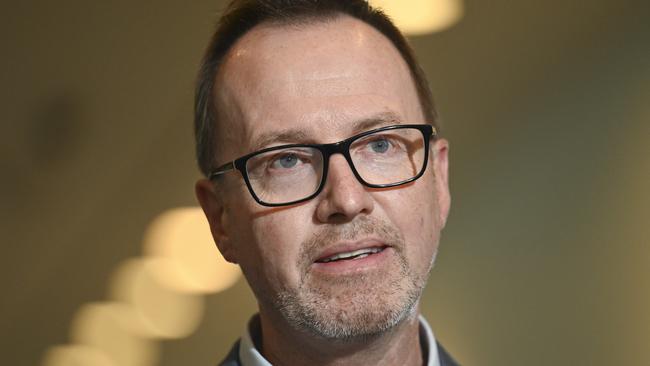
[250, 356]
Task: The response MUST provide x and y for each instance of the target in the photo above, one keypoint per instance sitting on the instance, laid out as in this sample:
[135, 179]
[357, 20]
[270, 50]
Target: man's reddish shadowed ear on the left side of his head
[216, 213]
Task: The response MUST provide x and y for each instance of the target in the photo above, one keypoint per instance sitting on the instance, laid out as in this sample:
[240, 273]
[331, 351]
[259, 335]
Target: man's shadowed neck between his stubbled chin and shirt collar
[282, 345]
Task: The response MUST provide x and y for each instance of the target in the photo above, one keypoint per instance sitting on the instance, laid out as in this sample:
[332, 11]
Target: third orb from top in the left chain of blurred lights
[107, 327]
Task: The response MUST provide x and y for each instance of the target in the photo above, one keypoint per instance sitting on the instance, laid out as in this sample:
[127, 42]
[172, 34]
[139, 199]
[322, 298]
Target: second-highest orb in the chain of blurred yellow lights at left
[158, 311]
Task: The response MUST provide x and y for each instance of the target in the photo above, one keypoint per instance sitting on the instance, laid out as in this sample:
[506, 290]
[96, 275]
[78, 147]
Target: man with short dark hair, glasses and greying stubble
[325, 181]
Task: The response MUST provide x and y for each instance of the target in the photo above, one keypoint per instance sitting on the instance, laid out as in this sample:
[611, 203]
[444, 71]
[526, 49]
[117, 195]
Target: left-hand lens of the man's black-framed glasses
[285, 175]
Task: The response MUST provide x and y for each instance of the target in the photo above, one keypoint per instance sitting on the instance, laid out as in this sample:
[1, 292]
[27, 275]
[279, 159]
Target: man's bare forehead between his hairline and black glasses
[319, 78]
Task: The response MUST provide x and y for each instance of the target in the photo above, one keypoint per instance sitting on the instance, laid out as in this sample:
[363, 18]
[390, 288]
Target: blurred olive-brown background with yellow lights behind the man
[545, 259]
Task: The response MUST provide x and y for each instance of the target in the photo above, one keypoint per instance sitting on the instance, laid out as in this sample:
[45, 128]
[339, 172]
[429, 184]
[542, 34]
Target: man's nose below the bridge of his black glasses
[343, 196]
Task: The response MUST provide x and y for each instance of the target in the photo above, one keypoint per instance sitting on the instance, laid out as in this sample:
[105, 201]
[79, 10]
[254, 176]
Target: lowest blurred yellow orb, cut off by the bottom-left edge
[76, 355]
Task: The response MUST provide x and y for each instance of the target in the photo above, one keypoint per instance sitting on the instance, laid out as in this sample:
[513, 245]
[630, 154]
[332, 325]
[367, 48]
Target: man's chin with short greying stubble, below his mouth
[362, 309]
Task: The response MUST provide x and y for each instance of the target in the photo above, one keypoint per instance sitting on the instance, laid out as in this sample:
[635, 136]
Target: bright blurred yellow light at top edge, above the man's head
[418, 17]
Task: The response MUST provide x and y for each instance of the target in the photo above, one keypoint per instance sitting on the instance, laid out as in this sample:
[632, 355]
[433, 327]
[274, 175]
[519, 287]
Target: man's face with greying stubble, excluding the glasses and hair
[322, 83]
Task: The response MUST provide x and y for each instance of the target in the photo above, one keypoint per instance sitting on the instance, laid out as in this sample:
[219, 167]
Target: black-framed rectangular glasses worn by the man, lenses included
[380, 158]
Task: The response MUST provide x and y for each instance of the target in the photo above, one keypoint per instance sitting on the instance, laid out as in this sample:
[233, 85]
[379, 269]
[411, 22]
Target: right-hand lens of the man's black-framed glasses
[389, 156]
